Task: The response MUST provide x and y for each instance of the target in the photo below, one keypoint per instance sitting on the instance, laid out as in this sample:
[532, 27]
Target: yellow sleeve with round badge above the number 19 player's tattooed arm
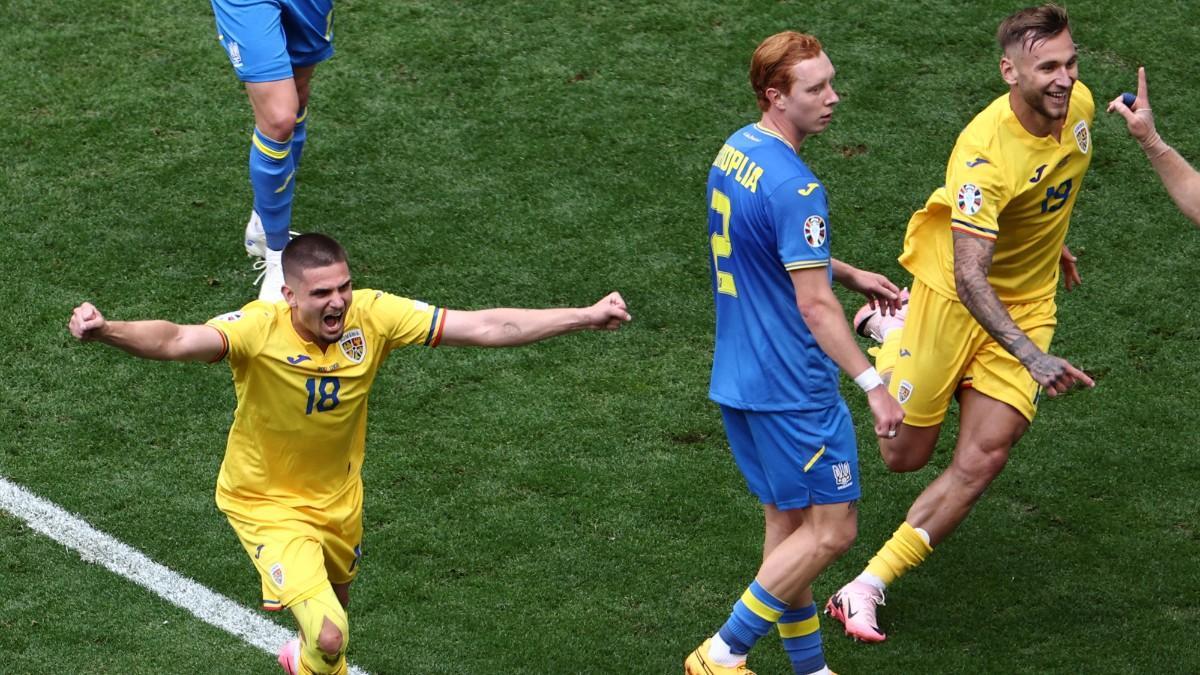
[979, 193]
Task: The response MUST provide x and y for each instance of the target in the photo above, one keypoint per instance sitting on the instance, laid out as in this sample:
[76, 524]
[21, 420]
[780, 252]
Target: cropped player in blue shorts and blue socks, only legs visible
[274, 47]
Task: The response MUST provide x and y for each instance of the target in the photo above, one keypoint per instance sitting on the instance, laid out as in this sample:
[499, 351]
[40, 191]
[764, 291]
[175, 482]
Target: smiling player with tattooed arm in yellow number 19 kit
[985, 254]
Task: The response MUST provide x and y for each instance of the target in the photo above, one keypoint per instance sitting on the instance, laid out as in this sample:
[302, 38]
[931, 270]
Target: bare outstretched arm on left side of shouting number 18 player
[160, 341]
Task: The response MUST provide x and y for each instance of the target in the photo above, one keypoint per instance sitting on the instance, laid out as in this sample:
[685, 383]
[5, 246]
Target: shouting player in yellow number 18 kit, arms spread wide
[291, 482]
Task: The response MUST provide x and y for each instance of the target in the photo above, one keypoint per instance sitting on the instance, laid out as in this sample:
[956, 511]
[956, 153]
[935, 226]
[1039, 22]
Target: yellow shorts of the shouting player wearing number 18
[297, 553]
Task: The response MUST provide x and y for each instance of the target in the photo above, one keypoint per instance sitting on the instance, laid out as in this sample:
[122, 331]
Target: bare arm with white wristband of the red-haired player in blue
[826, 320]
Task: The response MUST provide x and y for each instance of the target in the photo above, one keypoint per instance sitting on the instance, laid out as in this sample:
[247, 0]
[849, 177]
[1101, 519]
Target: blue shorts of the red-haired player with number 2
[795, 459]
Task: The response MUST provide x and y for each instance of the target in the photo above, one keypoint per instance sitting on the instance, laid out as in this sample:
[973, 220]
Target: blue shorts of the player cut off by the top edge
[266, 39]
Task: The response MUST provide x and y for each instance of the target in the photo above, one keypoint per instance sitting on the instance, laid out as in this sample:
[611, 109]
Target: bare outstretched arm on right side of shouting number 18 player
[506, 327]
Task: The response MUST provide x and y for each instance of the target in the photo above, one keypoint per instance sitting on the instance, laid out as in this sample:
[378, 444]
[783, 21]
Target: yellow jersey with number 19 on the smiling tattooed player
[1005, 184]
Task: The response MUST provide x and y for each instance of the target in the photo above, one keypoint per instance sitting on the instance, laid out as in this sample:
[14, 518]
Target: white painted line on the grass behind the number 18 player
[101, 549]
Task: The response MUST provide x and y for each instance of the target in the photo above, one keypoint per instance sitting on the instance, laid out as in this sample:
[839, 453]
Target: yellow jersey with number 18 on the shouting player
[299, 432]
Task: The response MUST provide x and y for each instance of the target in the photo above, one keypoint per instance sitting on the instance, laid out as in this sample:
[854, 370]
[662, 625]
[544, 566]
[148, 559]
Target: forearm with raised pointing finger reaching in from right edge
[1183, 182]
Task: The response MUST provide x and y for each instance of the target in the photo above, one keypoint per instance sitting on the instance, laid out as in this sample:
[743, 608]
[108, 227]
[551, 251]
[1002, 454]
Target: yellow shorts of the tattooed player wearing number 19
[944, 349]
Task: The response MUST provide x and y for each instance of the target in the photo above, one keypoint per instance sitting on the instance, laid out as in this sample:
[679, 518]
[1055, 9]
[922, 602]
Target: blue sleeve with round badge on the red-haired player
[800, 213]
